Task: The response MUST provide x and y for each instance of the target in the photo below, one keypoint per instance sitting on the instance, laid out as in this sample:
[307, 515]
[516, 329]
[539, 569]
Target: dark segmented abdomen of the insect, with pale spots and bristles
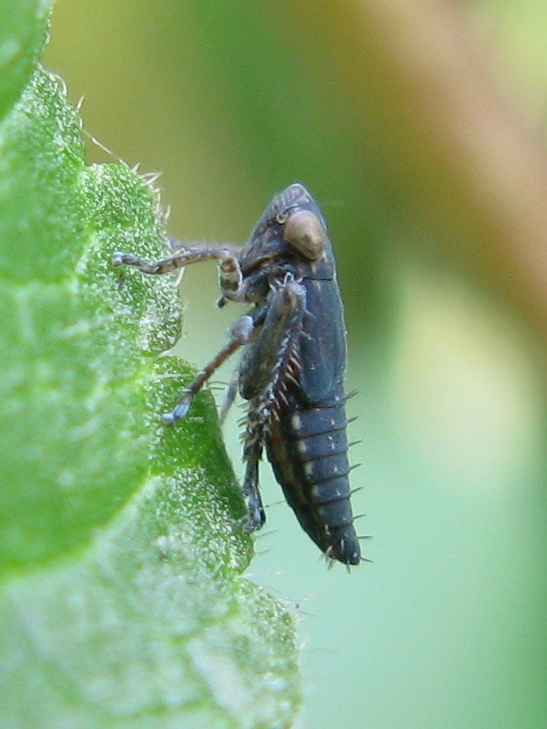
[308, 449]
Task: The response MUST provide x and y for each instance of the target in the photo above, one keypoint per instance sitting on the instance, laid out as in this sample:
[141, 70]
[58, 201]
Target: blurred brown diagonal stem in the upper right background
[469, 162]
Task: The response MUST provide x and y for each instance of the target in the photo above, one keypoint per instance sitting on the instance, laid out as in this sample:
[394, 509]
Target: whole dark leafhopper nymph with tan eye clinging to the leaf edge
[292, 367]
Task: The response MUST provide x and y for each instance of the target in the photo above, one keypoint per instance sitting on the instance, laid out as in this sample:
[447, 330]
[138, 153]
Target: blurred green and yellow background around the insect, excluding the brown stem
[231, 101]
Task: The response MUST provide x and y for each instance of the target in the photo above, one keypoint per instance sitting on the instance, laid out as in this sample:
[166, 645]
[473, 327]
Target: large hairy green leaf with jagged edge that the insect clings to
[122, 602]
